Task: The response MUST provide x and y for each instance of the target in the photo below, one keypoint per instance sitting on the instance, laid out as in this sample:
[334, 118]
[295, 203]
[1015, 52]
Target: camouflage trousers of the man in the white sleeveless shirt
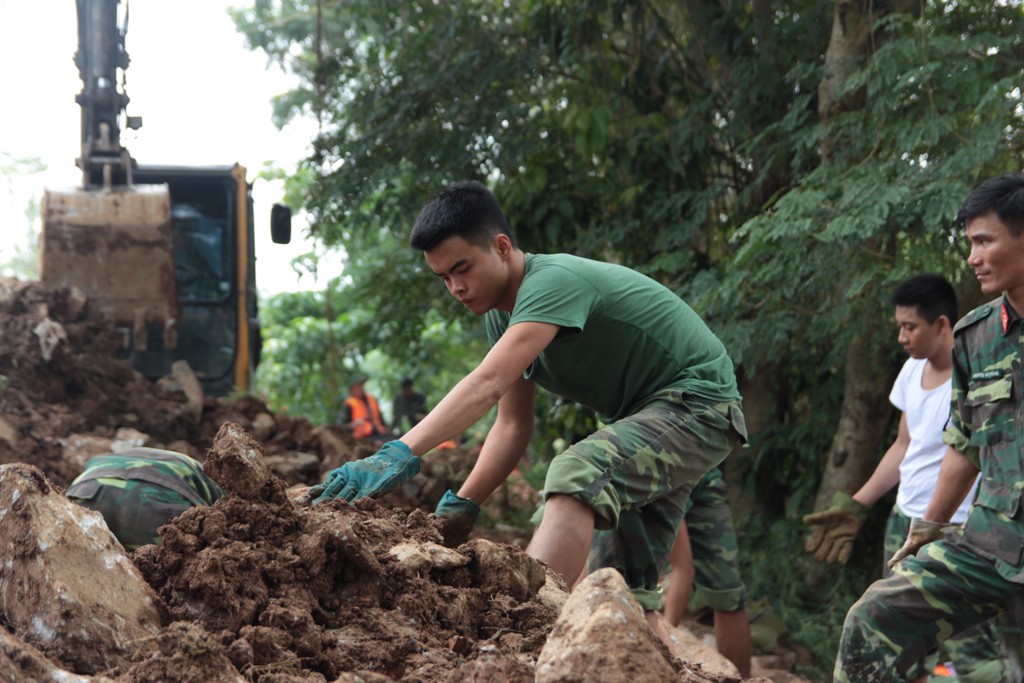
[975, 654]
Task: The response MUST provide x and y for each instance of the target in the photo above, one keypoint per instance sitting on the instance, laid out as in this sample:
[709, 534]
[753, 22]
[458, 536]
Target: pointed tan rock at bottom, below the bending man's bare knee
[603, 635]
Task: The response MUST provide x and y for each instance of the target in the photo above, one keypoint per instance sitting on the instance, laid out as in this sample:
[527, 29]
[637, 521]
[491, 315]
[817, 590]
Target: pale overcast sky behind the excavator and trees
[203, 98]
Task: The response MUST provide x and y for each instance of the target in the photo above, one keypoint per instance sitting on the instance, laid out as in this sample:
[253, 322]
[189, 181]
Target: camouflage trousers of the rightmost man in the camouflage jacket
[943, 591]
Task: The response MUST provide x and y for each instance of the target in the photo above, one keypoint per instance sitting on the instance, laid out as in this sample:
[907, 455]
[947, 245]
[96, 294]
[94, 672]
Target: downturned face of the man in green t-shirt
[477, 277]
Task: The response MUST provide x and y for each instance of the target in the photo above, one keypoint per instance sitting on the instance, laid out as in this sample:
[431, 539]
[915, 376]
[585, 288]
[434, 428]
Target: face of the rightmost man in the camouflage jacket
[997, 257]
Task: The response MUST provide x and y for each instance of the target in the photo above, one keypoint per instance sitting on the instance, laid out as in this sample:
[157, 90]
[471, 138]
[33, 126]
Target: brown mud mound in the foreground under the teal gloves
[300, 593]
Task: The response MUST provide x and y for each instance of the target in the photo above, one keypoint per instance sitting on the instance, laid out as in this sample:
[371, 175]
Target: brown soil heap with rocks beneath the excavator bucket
[66, 396]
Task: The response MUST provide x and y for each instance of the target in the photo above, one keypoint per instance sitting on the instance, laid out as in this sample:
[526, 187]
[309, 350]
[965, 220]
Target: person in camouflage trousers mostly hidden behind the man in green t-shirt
[705, 564]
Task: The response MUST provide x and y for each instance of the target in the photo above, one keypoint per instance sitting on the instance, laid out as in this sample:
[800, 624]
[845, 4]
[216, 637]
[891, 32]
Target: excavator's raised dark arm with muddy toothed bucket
[110, 238]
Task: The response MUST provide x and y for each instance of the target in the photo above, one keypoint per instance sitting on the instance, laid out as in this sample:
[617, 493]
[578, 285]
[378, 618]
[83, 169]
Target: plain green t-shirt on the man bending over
[624, 337]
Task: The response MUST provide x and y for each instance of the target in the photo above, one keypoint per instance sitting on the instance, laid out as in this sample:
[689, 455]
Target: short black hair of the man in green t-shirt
[465, 209]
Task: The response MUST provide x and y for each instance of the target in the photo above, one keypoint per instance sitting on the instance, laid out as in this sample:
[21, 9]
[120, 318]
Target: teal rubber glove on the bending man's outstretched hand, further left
[391, 467]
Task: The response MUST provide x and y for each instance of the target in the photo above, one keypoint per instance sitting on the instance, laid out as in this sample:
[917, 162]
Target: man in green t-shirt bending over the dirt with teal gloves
[595, 333]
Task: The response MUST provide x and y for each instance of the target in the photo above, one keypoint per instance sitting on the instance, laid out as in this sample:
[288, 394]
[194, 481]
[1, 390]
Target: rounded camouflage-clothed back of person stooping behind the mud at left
[141, 490]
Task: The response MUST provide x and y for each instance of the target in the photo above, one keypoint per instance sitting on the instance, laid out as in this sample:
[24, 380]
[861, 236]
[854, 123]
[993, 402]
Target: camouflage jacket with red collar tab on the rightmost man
[986, 426]
